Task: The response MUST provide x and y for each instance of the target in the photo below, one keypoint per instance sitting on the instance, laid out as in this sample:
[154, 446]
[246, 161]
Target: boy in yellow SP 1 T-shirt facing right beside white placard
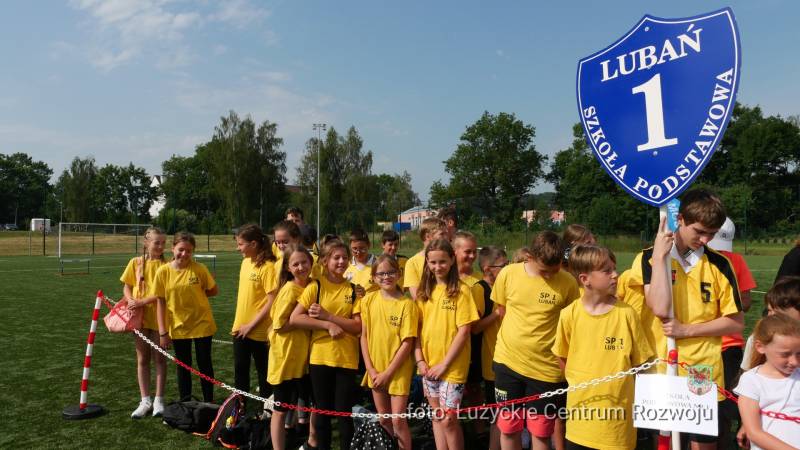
[599, 335]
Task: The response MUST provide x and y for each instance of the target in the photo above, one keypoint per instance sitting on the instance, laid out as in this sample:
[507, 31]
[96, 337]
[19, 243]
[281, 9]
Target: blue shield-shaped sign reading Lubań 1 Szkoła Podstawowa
[655, 104]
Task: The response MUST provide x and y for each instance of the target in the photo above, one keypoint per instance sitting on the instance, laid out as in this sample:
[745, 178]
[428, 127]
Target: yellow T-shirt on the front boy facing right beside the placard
[594, 346]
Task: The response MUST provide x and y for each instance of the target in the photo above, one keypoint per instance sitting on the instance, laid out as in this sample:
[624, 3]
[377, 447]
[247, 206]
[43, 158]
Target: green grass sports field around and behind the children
[44, 320]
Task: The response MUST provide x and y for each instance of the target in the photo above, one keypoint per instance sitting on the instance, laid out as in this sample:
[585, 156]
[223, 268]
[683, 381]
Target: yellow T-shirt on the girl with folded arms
[338, 299]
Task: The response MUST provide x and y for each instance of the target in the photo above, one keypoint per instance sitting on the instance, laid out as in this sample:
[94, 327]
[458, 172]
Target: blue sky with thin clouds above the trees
[141, 80]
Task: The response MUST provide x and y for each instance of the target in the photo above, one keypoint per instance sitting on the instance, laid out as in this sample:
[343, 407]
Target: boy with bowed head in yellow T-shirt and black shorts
[529, 296]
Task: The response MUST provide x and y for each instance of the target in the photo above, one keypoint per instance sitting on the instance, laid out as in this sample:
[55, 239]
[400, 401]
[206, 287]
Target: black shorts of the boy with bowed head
[509, 385]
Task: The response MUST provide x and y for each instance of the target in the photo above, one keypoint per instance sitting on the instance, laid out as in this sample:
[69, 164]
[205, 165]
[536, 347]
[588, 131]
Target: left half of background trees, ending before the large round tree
[237, 176]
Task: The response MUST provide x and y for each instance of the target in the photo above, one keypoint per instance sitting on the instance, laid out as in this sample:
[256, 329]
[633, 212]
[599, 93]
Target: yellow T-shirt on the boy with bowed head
[525, 339]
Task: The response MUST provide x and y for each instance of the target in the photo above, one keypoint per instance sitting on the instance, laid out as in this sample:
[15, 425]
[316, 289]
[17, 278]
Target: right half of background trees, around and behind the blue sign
[755, 170]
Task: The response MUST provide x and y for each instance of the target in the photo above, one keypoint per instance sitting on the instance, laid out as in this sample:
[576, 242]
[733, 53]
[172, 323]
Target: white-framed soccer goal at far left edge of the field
[99, 238]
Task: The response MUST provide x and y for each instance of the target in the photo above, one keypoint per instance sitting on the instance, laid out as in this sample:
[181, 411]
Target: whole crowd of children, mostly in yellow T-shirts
[558, 315]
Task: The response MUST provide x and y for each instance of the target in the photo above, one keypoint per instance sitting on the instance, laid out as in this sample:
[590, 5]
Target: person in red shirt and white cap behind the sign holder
[732, 345]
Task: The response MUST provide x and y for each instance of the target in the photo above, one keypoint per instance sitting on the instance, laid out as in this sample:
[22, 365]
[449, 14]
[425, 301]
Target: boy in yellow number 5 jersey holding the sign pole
[705, 295]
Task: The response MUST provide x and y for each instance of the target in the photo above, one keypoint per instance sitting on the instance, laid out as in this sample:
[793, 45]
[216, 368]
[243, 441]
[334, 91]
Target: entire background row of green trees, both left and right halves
[240, 175]
